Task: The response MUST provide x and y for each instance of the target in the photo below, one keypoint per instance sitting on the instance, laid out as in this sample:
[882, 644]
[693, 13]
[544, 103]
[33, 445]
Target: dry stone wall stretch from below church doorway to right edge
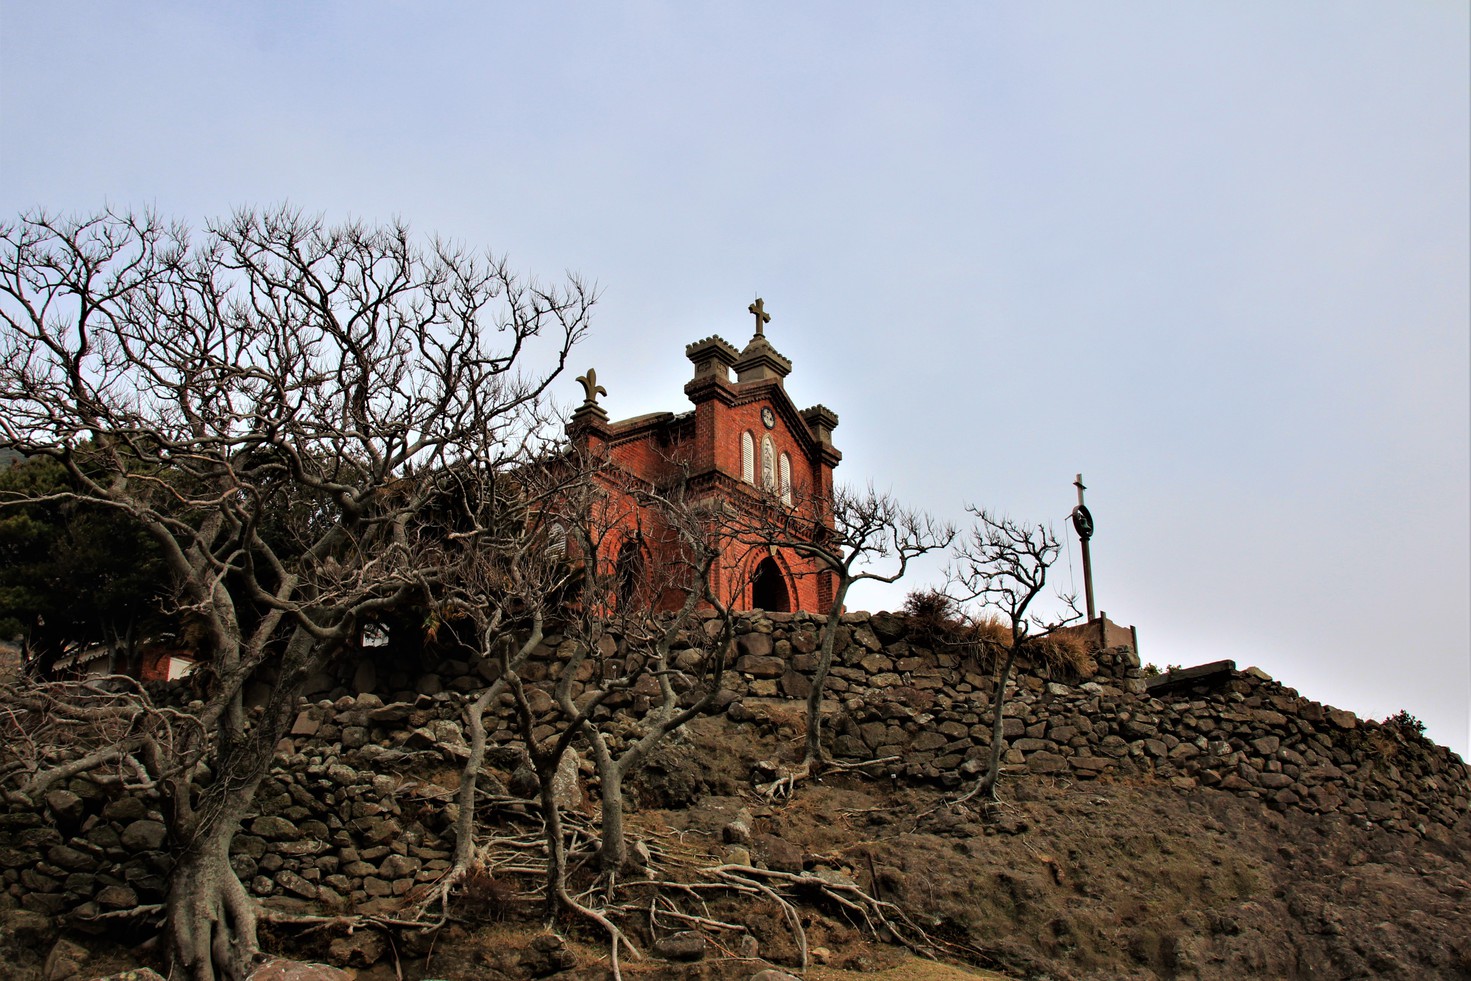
[1232, 730]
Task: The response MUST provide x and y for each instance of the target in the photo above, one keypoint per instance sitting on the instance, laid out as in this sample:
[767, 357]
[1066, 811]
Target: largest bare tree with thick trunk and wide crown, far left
[267, 402]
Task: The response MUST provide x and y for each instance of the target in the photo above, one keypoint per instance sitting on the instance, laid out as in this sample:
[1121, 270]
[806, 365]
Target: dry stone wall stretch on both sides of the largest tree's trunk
[343, 821]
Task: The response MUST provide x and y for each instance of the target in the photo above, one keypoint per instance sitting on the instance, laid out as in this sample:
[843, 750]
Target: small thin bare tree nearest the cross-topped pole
[1001, 567]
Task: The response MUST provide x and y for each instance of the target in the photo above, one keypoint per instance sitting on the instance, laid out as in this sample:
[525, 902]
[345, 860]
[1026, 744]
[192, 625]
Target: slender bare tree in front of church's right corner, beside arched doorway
[869, 536]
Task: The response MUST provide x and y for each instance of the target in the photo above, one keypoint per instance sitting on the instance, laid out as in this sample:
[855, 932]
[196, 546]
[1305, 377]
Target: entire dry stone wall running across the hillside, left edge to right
[354, 814]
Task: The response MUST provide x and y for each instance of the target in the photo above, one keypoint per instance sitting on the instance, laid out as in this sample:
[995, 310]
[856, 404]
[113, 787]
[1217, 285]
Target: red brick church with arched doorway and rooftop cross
[742, 440]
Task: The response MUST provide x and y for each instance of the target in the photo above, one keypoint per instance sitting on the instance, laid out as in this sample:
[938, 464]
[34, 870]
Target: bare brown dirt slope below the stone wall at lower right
[1113, 880]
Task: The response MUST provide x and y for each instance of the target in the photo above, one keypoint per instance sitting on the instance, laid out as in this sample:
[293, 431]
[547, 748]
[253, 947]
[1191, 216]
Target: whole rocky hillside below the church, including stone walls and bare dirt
[1214, 826]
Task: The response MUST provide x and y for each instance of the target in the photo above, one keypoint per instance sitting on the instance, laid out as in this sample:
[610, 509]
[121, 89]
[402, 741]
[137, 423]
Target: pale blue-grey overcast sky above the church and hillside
[1213, 257]
